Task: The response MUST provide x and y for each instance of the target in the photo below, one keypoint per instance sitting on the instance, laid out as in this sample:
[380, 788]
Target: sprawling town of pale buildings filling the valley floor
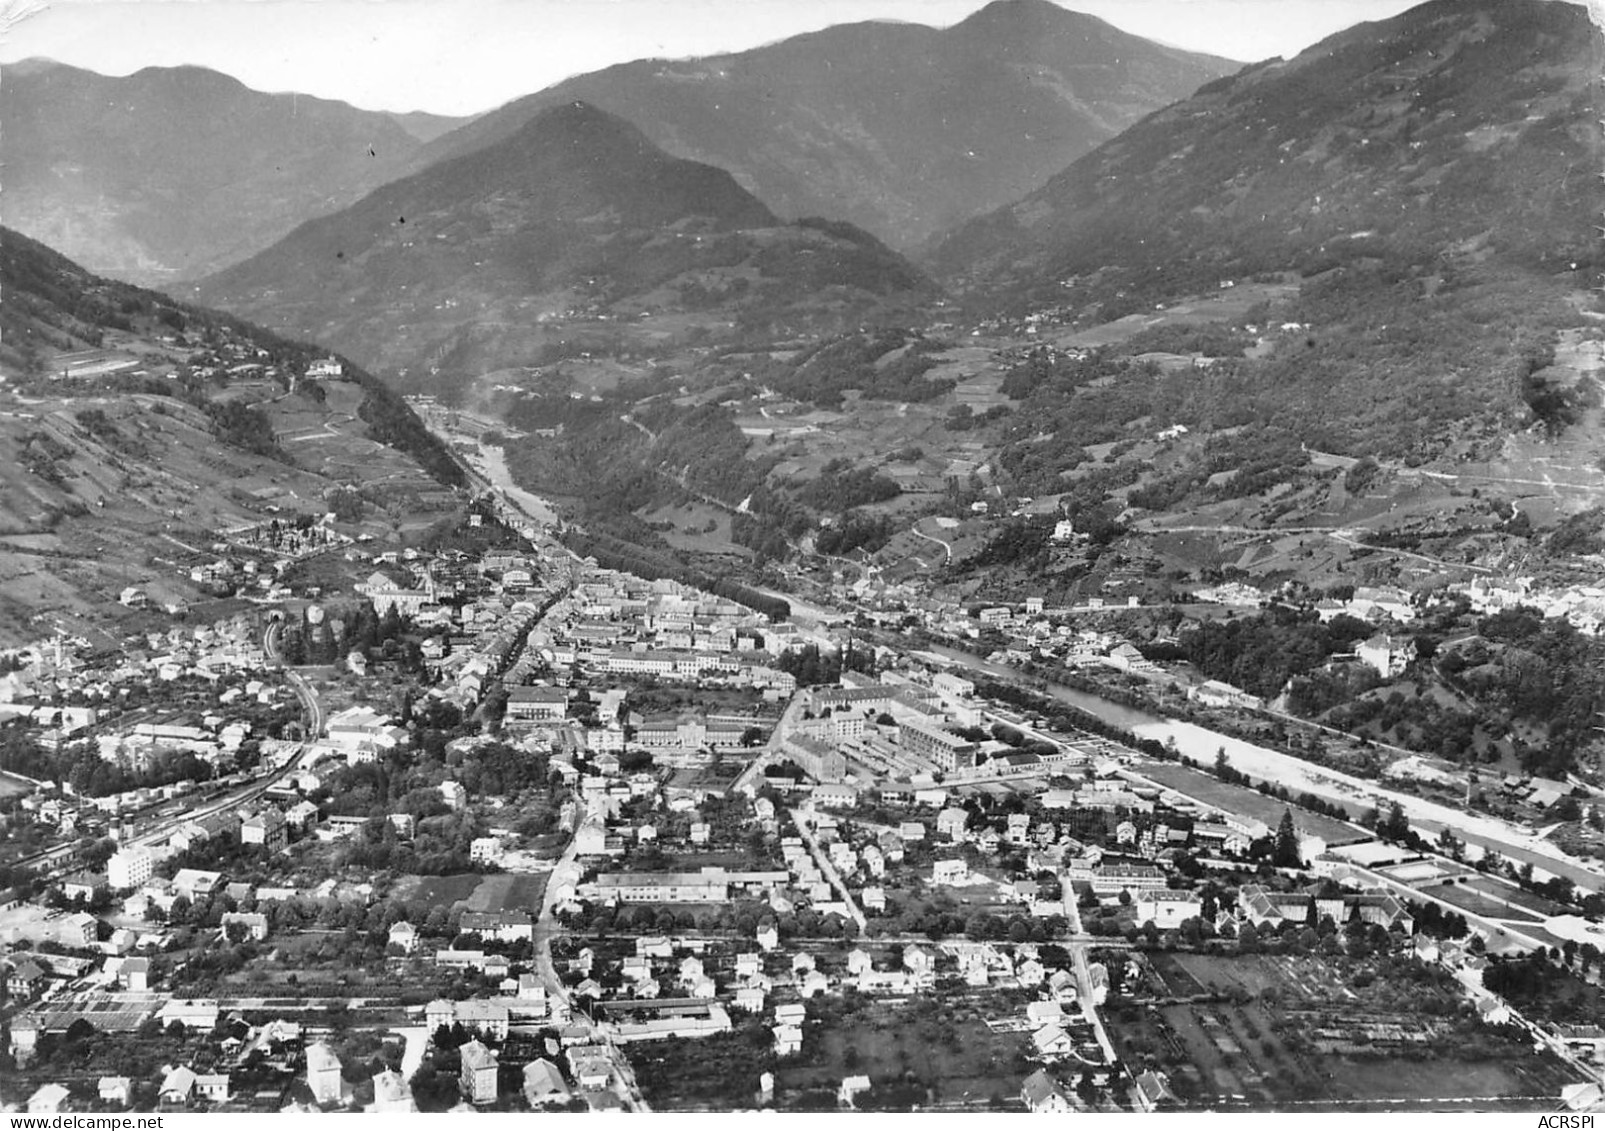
[487, 825]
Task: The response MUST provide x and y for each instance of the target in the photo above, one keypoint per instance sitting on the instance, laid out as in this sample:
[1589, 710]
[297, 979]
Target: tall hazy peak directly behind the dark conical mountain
[900, 129]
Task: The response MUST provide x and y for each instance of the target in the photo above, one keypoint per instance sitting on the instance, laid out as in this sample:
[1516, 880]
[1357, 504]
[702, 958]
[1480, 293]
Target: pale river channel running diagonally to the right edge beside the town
[1298, 776]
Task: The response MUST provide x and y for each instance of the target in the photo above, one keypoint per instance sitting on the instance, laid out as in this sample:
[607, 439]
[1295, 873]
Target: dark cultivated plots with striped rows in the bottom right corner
[1325, 1034]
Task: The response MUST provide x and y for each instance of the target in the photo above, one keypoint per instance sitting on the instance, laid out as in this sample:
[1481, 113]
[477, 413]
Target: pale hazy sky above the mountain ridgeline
[458, 57]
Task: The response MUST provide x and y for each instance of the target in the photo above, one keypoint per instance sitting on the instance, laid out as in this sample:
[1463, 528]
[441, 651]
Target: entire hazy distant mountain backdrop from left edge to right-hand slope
[173, 174]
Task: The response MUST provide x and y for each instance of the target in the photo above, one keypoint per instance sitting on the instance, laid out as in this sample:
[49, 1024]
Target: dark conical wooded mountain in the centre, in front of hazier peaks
[490, 257]
